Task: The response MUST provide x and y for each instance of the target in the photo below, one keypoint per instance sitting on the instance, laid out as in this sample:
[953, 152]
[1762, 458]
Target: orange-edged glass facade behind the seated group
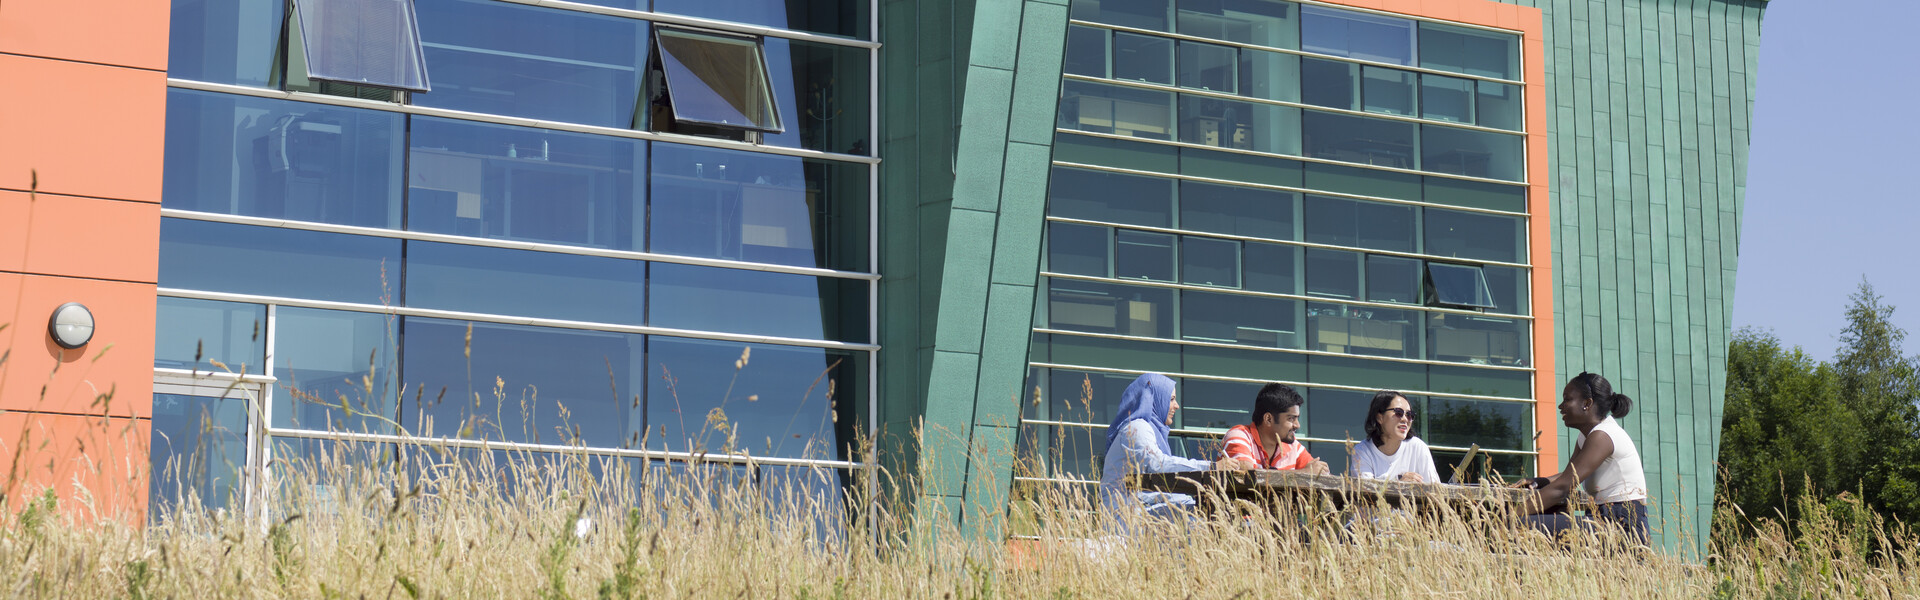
[1330, 199]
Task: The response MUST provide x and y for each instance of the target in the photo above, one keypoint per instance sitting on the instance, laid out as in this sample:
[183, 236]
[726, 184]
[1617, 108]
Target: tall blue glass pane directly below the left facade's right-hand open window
[759, 209]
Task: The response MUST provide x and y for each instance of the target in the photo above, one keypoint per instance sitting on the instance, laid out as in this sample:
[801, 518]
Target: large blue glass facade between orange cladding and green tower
[523, 255]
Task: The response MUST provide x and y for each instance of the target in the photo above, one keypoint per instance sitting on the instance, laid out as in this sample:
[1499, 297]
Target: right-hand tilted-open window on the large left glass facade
[717, 80]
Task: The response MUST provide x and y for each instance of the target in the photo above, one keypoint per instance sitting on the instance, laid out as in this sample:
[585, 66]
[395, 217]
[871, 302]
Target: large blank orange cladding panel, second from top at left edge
[87, 130]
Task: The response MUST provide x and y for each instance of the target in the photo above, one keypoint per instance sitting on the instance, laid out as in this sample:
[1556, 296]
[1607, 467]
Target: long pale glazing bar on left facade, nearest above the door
[510, 320]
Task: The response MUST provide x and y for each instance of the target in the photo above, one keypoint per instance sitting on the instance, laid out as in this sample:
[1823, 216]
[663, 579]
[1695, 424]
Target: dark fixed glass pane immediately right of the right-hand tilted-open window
[825, 87]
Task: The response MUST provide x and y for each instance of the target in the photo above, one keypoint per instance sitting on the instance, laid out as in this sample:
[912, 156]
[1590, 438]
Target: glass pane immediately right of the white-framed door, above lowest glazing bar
[335, 370]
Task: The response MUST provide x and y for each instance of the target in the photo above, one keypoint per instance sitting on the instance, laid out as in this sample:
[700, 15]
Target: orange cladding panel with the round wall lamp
[110, 376]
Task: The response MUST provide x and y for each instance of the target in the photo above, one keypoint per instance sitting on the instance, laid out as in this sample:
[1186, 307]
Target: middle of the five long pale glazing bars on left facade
[510, 245]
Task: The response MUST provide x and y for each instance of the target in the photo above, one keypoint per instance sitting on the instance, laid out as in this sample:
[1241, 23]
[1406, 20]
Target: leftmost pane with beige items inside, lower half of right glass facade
[1111, 309]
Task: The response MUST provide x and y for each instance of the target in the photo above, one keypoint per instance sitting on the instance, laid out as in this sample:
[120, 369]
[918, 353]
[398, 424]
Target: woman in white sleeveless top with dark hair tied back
[1604, 459]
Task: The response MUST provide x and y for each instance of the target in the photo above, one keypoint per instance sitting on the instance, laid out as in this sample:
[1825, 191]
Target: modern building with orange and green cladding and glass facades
[767, 230]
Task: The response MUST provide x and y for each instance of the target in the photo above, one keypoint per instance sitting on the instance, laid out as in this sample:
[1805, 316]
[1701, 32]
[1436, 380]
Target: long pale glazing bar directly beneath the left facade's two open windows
[521, 122]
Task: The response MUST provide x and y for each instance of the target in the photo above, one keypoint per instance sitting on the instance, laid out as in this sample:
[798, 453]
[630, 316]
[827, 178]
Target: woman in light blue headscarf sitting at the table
[1138, 443]
